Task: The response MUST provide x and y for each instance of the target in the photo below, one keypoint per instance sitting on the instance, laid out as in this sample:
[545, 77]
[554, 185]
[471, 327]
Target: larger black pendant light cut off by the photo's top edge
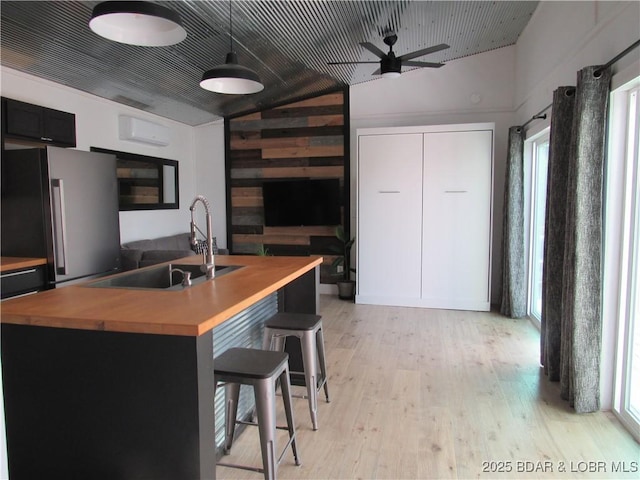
[137, 23]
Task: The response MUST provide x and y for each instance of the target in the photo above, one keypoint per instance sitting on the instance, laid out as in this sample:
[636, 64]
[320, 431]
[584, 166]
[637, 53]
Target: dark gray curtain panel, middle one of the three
[555, 221]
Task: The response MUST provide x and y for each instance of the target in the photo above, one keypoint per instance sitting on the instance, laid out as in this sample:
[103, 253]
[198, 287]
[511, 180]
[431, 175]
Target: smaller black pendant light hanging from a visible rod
[231, 78]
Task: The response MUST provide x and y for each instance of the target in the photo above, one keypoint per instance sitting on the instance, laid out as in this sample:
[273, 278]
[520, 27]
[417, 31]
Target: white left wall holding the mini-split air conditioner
[97, 126]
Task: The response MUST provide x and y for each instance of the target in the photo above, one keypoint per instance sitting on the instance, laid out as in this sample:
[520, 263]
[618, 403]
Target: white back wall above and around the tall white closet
[474, 89]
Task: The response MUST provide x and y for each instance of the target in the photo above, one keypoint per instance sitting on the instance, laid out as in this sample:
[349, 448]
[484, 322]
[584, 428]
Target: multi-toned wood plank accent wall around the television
[305, 139]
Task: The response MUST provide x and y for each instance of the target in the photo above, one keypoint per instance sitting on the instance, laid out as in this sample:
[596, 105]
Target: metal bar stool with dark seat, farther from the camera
[308, 328]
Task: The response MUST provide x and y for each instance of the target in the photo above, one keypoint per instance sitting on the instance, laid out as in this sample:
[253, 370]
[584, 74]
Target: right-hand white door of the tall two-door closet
[457, 219]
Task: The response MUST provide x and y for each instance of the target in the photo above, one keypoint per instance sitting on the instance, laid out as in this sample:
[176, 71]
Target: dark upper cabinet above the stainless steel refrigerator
[24, 121]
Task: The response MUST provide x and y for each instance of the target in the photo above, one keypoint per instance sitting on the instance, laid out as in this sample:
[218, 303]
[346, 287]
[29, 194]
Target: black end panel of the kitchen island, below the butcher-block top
[107, 405]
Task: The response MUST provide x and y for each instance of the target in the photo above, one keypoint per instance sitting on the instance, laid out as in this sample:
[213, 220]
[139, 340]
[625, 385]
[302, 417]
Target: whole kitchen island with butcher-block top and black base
[106, 381]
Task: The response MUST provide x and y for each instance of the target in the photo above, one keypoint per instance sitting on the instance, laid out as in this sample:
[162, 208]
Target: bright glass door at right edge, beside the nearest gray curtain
[622, 249]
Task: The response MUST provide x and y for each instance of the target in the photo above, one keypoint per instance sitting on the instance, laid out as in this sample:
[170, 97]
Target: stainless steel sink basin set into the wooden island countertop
[162, 277]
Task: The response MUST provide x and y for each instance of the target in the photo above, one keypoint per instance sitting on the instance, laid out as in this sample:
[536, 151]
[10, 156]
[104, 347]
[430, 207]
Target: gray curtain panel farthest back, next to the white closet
[514, 293]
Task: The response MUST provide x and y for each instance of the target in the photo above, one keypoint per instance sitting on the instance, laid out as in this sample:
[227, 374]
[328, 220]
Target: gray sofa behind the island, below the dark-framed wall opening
[142, 253]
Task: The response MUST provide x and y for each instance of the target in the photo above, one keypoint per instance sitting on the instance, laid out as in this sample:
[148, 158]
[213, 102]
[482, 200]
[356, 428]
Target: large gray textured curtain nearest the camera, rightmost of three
[580, 328]
